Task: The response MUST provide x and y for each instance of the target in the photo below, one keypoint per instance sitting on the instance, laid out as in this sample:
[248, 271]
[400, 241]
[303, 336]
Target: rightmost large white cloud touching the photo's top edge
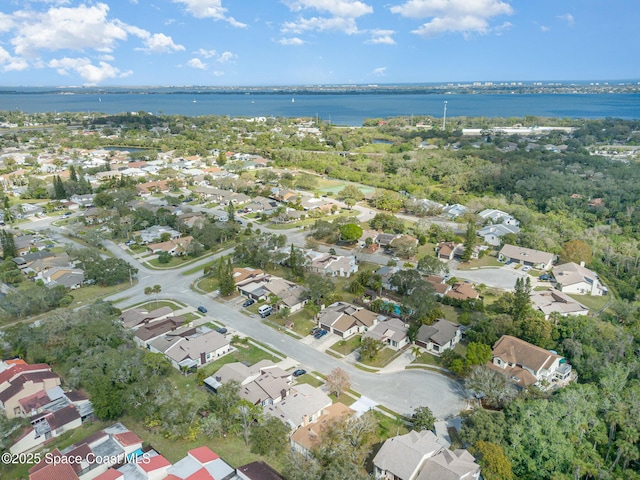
[458, 16]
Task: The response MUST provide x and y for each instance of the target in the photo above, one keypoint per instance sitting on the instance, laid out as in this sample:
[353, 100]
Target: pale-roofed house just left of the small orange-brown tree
[304, 405]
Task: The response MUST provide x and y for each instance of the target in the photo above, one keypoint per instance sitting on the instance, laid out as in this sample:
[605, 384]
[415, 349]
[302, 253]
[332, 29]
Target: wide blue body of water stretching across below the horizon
[342, 108]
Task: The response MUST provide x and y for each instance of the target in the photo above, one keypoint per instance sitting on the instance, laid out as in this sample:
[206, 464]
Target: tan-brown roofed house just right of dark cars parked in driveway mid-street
[346, 320]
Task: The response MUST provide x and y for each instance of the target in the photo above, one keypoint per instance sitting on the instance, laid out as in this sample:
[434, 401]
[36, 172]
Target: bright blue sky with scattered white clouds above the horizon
[309, 42]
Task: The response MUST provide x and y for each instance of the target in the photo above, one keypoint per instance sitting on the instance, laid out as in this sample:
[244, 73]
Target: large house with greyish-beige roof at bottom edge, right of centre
[418, 455]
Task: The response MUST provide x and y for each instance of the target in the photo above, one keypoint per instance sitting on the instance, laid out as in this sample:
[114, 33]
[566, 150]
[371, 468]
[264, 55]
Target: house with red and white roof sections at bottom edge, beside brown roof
[201, 463]
